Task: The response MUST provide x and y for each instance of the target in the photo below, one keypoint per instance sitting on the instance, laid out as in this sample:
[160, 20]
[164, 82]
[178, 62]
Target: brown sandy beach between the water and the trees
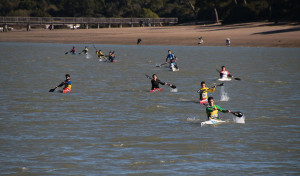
[259, 34]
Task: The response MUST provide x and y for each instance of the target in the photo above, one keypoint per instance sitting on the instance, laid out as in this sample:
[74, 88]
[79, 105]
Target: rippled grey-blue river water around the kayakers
[110, 124]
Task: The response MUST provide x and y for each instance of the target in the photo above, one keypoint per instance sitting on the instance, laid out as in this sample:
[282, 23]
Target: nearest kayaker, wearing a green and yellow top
[212, 109]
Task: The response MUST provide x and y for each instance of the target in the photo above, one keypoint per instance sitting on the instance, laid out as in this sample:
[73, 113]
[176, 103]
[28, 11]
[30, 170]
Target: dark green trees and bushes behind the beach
[229, 11]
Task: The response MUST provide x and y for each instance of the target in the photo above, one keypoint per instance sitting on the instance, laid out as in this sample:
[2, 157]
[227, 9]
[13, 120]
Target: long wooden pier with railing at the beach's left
[53, 21]
